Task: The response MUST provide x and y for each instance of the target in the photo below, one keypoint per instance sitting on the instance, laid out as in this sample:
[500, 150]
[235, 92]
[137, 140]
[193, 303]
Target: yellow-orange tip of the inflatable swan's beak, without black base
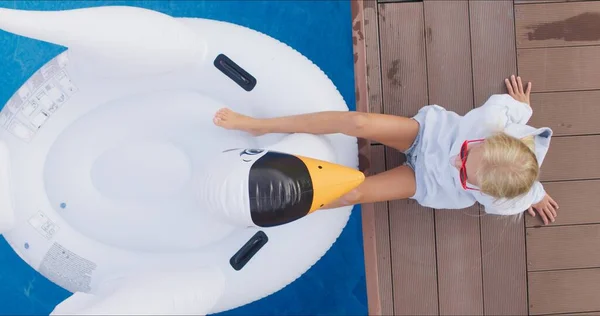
[330, 181]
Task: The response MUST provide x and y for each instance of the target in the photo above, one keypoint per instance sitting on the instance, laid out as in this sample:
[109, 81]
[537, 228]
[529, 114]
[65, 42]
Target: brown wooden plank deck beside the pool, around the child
[456, 54]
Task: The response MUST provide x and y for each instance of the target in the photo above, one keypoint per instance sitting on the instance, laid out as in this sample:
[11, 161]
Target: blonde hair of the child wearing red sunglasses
[509, 167]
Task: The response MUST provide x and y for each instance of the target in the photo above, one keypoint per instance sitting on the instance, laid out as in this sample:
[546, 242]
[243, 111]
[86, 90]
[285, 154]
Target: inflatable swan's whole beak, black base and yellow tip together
[283, 188]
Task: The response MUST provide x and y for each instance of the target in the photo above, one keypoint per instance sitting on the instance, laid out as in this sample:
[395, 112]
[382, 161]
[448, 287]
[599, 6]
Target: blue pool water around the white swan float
[321, 30]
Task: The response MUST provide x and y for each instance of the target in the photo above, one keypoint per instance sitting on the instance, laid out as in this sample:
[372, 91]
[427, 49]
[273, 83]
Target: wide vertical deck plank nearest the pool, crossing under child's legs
[412, 232]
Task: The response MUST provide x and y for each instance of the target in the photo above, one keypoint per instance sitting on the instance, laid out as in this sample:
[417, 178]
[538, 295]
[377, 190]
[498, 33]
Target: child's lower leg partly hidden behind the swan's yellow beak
[395, 184]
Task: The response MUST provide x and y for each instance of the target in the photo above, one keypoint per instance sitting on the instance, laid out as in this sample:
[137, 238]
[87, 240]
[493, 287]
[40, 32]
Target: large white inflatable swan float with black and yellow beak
[116, 185]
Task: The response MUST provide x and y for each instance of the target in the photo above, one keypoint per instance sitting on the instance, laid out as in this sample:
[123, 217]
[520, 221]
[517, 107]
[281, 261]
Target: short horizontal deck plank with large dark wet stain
[558, 24]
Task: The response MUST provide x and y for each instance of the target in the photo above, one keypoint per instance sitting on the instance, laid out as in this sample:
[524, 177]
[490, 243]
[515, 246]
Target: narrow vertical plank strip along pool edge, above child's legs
[371, 36]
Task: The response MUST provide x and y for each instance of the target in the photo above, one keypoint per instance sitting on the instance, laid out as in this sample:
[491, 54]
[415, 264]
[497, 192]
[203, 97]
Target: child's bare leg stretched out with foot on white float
[394, 131]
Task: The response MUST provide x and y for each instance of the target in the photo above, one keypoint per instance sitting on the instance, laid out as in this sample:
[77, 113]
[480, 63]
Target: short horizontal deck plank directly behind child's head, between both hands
[572, 158]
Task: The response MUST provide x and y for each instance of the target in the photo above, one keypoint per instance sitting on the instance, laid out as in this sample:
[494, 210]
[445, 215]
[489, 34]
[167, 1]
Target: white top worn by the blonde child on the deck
[443, 133]
